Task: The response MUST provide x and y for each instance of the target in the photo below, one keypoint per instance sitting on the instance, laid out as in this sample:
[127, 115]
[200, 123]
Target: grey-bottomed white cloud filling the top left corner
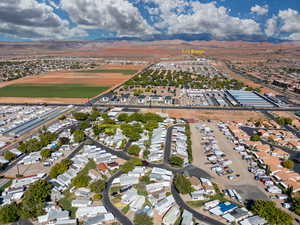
[33, 20]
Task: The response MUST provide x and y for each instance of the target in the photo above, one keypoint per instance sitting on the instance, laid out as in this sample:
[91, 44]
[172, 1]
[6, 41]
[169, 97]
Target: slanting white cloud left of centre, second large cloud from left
[118, 16]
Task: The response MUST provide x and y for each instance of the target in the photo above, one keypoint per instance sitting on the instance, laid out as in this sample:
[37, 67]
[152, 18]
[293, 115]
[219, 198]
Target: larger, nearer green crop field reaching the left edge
[51, 91]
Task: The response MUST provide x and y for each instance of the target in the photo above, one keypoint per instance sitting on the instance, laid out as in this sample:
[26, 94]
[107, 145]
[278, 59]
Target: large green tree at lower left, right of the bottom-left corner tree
[34, 199]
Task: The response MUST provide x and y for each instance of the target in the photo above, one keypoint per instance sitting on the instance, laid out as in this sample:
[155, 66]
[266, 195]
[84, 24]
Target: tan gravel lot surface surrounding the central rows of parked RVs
[246, 185]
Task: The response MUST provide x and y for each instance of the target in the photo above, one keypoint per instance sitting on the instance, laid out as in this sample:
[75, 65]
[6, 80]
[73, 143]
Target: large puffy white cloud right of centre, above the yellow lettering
[205, 18]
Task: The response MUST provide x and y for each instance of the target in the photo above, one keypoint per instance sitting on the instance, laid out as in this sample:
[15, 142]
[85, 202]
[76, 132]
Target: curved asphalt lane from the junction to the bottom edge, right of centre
[196, 214]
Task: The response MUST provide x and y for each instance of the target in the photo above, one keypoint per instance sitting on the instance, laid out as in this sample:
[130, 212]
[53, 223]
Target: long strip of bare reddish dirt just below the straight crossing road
[211, 115]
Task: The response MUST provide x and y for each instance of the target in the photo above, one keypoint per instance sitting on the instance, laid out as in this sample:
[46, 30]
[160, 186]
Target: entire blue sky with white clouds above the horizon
[32, 20]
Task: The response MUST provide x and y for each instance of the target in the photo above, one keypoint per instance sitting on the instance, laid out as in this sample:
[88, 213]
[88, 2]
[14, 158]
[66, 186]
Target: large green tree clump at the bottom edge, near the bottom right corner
[273, 215]
